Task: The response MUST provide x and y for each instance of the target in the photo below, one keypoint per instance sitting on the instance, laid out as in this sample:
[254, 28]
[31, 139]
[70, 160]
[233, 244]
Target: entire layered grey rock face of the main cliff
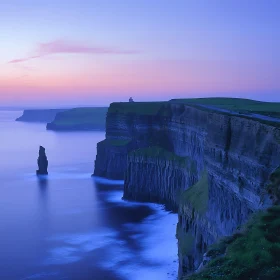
[234, 153]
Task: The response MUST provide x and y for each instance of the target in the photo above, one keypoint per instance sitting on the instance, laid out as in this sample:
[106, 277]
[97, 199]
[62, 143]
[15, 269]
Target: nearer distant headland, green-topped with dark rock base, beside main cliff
[79, 119]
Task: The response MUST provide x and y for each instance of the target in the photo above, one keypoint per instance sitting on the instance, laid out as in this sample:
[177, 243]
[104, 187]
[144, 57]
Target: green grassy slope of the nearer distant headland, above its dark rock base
[82, 116]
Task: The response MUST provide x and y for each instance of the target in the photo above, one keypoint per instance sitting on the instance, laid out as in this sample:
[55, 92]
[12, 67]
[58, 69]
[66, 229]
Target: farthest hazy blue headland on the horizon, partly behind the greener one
[40, 115]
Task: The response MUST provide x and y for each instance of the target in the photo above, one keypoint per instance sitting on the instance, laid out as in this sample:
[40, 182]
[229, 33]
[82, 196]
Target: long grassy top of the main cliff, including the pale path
[264, 112]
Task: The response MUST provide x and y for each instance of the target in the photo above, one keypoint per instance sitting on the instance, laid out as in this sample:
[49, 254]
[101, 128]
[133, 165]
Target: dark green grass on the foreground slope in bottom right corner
[252, 254]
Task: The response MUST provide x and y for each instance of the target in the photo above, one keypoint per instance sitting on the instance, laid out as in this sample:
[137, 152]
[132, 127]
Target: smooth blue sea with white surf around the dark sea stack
[72, 226]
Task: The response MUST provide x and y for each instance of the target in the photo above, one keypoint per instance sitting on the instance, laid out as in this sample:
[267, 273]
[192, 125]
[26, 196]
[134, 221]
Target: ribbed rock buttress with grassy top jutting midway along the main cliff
[154, 174]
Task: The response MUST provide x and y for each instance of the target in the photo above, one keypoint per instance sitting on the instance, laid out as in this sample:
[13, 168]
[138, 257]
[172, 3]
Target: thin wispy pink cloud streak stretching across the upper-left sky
[63, 47]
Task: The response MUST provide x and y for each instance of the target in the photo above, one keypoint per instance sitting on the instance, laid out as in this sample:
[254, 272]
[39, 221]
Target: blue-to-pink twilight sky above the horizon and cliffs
[94, 52]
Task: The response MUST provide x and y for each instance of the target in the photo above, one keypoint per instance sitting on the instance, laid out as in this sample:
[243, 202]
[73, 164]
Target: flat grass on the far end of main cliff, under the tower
[141, 108]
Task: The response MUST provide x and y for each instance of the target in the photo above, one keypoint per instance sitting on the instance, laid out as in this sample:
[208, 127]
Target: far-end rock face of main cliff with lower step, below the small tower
[124, 133]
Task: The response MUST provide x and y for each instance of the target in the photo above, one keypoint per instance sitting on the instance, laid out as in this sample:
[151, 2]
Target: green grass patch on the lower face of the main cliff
[197, 195]
